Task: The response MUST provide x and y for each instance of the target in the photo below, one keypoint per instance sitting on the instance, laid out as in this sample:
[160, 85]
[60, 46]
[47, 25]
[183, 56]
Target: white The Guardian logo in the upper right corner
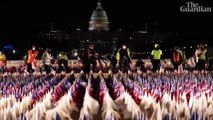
[194, 7]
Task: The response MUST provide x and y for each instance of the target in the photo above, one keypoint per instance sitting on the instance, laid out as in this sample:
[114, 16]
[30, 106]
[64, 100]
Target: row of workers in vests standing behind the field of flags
[121, 59]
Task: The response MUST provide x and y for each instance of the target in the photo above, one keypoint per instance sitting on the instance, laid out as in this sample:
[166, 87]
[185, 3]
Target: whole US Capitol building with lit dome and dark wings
[104, 39]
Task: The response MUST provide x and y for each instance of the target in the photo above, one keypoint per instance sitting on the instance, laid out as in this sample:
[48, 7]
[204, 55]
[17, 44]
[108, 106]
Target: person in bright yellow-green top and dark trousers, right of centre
[156, 55]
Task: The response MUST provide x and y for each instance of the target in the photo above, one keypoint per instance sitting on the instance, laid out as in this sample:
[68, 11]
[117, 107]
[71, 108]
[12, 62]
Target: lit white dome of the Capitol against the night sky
[99, 19]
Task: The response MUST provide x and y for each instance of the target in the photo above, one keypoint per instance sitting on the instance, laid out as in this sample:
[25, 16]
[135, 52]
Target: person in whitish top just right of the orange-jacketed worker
[46, 60]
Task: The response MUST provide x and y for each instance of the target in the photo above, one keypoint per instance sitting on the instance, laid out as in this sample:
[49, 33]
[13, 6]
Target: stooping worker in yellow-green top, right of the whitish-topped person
[63, 62]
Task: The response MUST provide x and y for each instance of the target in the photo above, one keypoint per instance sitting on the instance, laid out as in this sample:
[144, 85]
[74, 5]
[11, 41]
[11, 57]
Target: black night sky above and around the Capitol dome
[22, 21]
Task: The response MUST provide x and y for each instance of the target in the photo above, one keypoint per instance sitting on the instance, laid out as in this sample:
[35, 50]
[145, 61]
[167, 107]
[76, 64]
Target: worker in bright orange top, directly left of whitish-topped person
[32, 59]
